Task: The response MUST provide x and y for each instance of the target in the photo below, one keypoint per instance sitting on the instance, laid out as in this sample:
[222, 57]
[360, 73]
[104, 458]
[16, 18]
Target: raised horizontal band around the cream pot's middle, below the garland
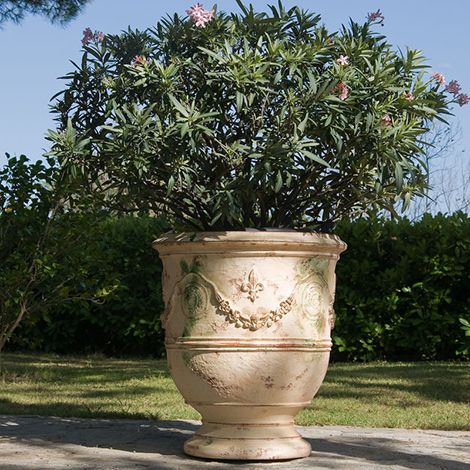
[258, 344]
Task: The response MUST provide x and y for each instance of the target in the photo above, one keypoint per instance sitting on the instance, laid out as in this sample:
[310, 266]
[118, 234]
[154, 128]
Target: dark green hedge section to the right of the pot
[403, 289]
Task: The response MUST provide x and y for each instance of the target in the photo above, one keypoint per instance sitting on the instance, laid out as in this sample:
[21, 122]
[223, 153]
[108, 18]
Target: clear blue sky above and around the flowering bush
[34, 53]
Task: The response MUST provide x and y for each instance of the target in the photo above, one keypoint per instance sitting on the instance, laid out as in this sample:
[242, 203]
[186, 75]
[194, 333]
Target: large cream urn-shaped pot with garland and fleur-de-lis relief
[248, 320]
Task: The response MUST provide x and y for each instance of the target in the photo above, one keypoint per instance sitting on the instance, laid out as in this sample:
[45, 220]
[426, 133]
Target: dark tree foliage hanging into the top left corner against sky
[57, 11]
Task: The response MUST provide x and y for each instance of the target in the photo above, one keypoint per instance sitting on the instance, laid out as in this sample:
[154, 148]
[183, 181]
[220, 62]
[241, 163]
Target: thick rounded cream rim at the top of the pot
[250, 239]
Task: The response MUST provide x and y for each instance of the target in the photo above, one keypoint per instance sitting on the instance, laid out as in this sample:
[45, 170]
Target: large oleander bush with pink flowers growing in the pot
[249, 120]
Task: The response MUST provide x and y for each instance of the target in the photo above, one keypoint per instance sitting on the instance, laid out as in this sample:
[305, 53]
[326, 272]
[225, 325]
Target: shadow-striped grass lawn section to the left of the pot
[86, 387]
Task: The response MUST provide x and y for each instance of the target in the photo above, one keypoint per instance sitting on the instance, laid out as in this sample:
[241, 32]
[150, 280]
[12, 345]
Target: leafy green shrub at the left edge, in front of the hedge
[44, 247]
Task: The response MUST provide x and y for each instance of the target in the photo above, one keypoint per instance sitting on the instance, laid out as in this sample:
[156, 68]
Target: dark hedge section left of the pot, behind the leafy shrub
[128, 323]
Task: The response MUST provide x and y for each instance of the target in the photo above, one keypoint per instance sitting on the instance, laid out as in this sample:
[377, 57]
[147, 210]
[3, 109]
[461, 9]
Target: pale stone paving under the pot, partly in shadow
[43, 443]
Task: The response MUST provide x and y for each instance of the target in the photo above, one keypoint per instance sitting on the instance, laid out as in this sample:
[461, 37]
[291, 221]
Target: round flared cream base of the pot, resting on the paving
[247, 442]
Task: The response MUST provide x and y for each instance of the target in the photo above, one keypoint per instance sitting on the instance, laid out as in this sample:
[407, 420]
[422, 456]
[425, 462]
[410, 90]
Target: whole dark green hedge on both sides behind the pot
[403, 293]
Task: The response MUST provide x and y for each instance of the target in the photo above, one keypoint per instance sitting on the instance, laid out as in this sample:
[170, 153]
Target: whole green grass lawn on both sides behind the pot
[406, 395]
